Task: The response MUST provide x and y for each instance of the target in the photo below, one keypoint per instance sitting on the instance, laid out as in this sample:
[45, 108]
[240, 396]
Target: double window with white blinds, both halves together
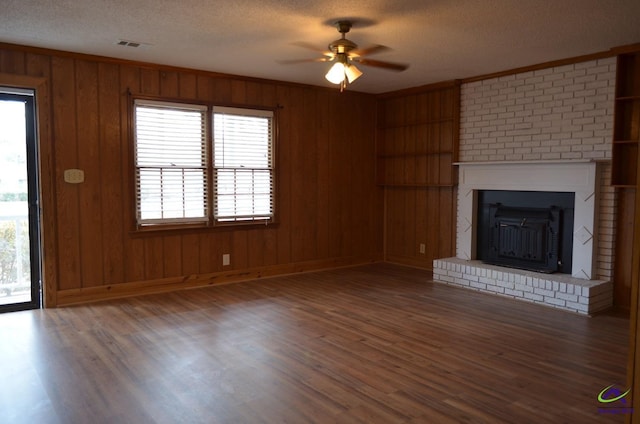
[175, 158]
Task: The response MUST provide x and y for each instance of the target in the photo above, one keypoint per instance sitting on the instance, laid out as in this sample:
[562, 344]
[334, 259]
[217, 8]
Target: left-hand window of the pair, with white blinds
[171, 162]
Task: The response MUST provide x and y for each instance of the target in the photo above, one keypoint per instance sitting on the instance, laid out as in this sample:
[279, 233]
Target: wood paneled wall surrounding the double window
[330, 208]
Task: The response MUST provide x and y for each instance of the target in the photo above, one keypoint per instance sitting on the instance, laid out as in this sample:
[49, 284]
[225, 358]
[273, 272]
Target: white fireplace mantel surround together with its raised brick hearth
[577, 292]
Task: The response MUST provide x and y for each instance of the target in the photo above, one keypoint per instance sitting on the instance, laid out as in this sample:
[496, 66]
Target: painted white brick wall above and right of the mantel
[559, 113]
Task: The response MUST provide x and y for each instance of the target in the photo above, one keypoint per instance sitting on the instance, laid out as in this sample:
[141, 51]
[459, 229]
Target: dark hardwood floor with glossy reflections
[371, 344]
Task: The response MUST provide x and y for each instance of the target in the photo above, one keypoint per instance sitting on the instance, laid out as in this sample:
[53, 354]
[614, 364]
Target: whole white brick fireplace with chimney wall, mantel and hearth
[544, 130]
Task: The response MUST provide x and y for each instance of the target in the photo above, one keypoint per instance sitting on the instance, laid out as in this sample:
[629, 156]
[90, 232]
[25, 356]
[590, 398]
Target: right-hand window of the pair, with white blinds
[243, 165]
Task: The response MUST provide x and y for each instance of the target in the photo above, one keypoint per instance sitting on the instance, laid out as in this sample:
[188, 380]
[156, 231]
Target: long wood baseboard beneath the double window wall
[139, 288]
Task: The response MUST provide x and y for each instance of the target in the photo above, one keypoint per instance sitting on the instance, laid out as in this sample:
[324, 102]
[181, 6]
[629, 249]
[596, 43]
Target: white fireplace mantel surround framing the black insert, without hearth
[574, 176]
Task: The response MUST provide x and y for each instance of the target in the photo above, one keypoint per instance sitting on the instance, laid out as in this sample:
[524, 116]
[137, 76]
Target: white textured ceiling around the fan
[440, 39]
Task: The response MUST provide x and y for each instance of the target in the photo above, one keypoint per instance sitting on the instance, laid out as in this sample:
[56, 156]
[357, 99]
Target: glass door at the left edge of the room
[20, 286]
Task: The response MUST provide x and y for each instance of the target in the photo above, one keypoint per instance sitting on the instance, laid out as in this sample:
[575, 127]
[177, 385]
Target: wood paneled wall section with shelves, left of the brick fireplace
[418, 138]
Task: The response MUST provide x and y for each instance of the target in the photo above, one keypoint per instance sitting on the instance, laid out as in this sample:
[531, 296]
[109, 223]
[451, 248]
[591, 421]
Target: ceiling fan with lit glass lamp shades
[345, 53]
